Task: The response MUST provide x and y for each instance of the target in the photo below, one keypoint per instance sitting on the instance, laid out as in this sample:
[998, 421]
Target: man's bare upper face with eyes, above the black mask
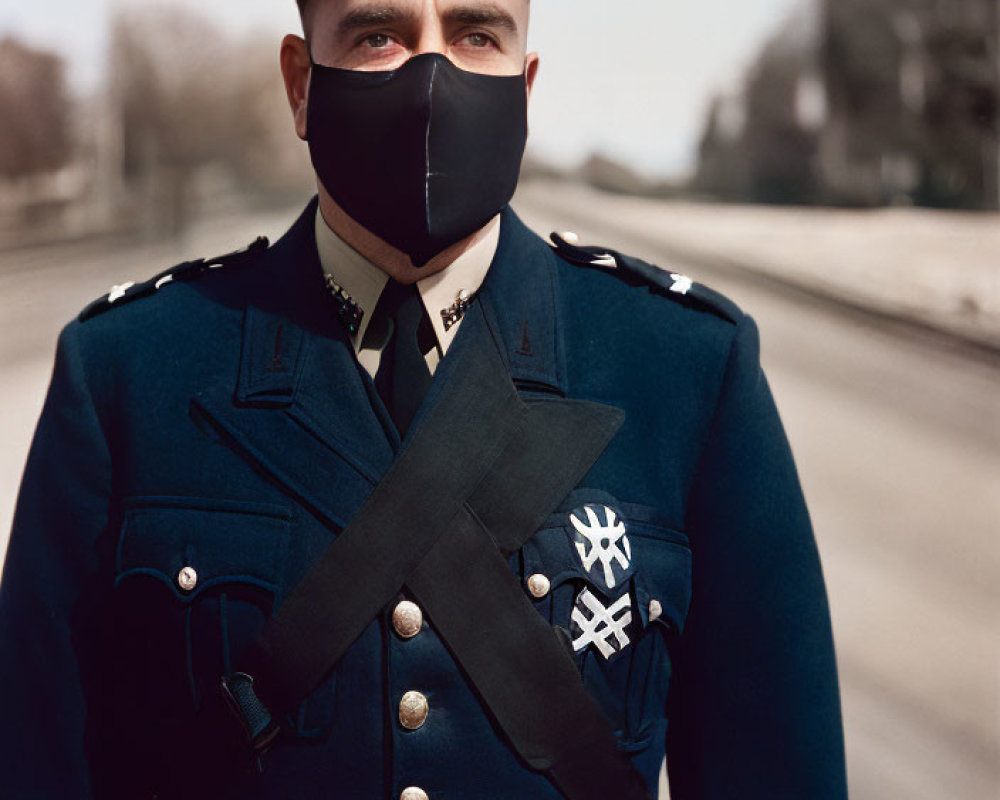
[487, 36]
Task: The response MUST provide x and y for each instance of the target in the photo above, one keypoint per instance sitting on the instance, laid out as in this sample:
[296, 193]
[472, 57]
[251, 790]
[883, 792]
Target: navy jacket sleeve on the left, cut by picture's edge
[49, 592]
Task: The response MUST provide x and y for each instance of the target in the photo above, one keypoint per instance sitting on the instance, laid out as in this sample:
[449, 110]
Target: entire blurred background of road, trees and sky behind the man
[831, 165]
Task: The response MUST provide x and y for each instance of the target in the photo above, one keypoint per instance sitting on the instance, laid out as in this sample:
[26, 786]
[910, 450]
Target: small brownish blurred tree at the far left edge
[35, 110]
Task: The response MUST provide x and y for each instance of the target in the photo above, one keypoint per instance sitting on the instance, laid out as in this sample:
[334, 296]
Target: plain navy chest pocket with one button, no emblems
[196, 579]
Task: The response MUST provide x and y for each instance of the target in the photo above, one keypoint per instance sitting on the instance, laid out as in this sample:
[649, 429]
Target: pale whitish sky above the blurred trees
[630, 78]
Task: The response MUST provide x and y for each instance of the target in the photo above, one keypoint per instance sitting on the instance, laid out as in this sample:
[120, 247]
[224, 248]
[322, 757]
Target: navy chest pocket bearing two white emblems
[618, 581]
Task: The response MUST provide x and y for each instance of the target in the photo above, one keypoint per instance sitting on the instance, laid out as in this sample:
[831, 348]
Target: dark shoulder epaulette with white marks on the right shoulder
[671, 284]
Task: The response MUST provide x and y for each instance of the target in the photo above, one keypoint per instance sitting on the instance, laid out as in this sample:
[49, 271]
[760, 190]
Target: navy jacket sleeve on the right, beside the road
[754, 706]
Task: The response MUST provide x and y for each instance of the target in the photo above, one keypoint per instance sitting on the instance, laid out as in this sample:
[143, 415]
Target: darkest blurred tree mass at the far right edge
[913, 88]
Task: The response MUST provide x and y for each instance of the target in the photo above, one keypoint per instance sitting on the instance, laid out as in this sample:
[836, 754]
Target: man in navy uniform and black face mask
[412, 504]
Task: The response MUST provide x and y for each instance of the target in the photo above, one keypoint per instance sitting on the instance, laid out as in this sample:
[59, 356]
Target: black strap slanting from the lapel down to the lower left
[368, 563]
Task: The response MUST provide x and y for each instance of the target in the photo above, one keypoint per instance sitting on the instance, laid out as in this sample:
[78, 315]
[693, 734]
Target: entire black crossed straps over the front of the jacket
[476, 480]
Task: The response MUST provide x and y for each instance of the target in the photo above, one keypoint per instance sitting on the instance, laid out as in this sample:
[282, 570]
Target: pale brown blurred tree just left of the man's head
[196, 105]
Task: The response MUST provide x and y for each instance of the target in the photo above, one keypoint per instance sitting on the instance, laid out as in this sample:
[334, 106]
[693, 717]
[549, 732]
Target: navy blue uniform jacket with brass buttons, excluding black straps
[109, 669]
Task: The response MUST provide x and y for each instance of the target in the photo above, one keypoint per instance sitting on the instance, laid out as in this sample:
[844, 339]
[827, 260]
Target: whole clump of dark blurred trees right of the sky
[867, 102]
